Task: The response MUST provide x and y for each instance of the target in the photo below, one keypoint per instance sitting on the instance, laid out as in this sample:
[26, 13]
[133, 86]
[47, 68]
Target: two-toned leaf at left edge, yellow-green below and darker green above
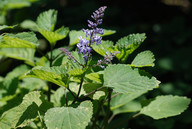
[20, 40]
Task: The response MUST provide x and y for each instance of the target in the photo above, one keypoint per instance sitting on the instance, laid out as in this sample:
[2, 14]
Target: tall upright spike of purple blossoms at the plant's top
[84, 46]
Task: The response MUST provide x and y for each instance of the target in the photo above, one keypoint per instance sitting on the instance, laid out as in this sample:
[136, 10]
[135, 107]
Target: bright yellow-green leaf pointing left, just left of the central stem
[53, 74]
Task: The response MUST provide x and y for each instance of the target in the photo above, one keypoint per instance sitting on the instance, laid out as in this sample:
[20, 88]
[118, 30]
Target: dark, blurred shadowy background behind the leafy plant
[168, 26]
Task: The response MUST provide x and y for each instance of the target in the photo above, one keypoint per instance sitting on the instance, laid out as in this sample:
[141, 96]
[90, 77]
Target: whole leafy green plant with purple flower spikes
[78, 87]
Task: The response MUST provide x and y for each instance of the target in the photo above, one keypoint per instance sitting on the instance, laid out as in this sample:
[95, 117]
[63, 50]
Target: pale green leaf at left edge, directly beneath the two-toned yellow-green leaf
[26, 54]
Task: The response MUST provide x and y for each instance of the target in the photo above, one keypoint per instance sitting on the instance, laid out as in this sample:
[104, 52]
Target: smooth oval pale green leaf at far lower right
[166, 106]
